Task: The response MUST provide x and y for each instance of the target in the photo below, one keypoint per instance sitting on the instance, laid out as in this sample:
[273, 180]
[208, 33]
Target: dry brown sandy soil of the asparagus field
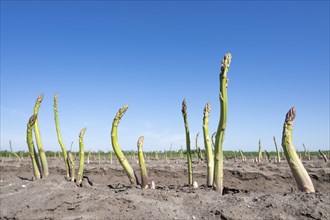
[263, 190]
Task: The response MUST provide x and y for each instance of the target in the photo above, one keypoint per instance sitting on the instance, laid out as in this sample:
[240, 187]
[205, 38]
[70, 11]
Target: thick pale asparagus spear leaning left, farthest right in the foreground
[299, 172]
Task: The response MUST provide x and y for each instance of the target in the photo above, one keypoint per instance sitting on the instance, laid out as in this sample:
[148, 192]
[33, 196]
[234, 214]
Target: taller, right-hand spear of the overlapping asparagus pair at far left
[42, 154]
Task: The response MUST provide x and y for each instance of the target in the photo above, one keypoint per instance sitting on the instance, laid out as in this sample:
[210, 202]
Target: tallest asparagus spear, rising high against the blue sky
[218, 154]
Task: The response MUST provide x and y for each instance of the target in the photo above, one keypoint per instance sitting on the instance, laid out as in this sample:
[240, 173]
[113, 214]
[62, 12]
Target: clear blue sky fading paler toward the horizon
[101, 55]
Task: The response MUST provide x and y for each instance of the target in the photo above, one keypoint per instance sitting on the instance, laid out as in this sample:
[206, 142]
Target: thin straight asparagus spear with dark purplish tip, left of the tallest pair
[189, 159]
